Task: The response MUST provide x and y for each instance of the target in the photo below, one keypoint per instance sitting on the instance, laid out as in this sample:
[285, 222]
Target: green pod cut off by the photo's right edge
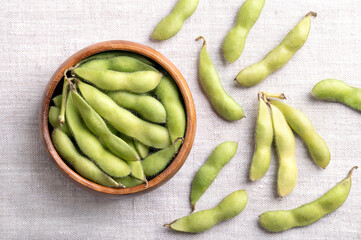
[338, 91]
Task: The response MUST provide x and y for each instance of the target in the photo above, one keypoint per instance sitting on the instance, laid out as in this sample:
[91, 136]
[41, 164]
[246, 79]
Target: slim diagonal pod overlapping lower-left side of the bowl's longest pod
[100, 129]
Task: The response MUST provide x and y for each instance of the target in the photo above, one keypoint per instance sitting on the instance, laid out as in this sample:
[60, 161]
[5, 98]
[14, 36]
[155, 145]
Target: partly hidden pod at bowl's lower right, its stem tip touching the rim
[155, 163]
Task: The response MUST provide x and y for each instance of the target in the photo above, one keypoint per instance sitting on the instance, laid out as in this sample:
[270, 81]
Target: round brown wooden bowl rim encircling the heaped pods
[182, 155]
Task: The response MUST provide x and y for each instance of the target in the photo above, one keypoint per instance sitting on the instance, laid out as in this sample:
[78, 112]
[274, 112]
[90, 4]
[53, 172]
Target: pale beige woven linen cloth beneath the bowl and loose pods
[37, 202]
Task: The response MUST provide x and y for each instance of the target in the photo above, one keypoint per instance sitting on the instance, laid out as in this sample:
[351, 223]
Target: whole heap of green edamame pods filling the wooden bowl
[119, 120]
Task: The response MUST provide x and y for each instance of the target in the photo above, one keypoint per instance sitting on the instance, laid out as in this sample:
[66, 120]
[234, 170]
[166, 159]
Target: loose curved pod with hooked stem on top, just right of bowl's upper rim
[222, 103]
